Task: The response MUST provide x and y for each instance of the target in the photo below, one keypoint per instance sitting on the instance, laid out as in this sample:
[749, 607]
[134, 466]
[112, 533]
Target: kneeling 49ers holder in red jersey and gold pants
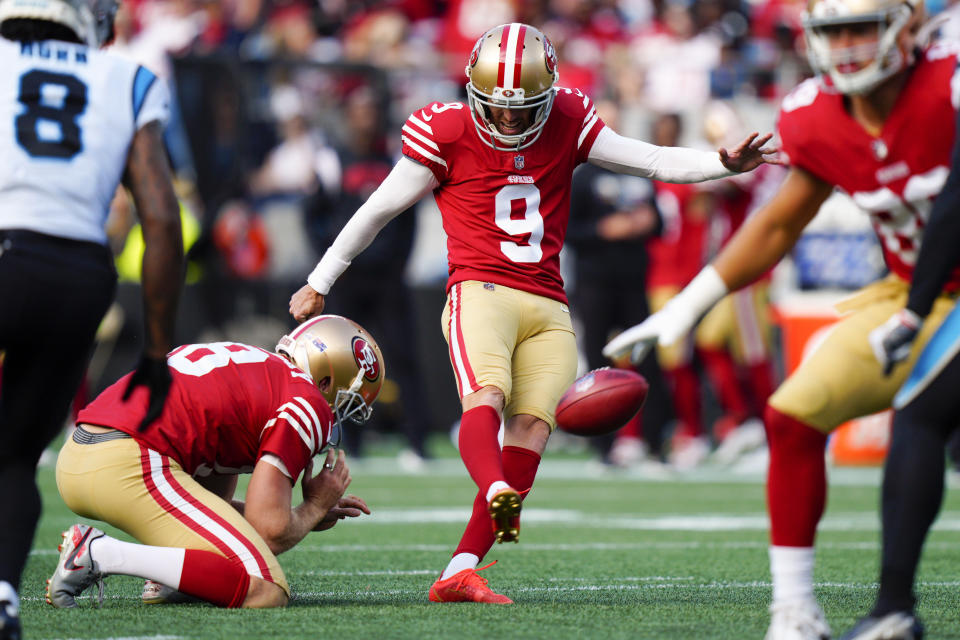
[232, 409]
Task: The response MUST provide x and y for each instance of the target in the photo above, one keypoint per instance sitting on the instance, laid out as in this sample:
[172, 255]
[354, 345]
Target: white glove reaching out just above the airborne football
[674, 321]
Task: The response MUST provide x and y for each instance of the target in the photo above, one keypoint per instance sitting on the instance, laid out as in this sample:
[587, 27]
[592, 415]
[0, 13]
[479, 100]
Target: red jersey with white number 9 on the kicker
[505, 212]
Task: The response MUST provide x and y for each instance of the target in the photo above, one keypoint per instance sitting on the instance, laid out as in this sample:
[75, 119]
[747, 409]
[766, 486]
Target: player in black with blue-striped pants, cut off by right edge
[928, 412]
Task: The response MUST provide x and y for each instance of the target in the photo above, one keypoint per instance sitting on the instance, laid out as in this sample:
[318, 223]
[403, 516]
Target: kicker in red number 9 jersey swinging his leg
[500, 170]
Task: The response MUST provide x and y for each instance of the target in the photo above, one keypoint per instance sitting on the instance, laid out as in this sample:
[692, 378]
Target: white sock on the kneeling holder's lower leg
[161, 564]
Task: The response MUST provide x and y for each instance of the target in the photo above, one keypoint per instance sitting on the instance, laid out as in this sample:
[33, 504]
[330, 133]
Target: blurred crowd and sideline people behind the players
[287, 117]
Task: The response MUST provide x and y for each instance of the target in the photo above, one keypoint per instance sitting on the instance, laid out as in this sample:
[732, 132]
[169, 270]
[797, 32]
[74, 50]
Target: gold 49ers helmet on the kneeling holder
[343, 360]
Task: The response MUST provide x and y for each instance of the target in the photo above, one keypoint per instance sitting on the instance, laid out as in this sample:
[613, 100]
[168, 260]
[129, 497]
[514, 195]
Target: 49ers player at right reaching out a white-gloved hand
[879, 124]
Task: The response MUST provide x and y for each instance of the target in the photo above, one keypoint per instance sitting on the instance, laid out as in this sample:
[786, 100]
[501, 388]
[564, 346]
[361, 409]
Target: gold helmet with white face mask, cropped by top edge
[858, 69]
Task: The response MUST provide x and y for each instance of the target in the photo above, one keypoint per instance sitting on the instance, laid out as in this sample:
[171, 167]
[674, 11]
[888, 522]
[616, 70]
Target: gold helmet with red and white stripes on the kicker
[513, 65]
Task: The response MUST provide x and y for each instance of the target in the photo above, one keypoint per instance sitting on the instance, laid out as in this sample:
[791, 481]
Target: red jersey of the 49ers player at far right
[895, 176]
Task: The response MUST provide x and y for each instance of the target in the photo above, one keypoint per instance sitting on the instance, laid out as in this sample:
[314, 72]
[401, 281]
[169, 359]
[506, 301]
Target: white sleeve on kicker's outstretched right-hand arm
[668, 164]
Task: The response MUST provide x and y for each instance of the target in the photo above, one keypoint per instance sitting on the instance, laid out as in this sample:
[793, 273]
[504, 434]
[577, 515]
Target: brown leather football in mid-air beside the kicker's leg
[601, 401]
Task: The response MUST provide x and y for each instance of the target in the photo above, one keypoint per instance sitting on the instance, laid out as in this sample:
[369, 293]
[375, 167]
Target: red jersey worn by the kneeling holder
[229, 404]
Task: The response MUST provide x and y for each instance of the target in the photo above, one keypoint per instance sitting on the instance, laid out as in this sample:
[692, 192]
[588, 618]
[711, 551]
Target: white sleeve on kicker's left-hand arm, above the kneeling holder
[405, 185]
